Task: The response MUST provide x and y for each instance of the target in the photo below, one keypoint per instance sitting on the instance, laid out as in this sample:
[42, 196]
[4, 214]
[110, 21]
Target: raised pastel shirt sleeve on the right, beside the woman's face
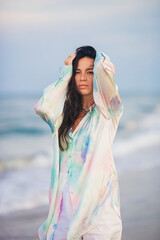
[105, 89]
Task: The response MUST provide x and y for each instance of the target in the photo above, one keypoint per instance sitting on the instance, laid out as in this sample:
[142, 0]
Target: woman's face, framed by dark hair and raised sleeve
[84, 76]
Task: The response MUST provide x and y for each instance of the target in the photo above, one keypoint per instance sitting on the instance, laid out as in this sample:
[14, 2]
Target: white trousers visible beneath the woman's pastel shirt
[103, 231]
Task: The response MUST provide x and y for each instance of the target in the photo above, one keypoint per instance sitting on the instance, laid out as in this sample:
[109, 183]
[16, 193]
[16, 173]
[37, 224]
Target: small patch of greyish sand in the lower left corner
[22, 225]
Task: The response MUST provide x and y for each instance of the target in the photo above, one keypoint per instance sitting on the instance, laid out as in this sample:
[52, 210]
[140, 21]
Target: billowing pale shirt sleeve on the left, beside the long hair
[50, 105]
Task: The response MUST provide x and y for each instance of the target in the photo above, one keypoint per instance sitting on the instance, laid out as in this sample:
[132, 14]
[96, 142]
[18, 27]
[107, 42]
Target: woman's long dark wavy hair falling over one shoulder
[73, 103]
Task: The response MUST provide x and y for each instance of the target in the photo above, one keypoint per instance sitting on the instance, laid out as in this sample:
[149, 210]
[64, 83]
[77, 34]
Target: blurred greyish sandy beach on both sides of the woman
[140, 195]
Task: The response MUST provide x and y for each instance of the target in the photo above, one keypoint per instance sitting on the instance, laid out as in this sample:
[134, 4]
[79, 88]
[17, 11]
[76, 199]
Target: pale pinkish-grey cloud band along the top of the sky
[30, 12]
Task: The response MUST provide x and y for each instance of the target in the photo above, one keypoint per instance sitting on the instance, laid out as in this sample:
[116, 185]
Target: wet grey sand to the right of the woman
[140, 209]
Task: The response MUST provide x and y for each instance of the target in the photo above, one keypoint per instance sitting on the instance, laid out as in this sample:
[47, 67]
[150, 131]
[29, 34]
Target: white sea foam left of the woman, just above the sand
[24, 189]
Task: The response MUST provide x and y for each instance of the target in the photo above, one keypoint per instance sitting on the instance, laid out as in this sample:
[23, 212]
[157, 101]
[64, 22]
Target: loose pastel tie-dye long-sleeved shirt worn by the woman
[88, 160]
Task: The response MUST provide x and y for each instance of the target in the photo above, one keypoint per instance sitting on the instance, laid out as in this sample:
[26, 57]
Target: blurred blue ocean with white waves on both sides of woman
[26, 147]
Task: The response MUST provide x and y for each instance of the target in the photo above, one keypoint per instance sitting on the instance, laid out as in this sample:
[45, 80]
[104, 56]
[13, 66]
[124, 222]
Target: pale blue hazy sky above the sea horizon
[37, 36]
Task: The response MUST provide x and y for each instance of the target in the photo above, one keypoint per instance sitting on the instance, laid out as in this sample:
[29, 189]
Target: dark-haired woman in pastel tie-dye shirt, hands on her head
[83, 109]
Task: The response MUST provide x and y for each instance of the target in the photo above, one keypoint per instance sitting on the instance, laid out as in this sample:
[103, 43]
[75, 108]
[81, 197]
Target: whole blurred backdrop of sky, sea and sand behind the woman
[35, 39]
